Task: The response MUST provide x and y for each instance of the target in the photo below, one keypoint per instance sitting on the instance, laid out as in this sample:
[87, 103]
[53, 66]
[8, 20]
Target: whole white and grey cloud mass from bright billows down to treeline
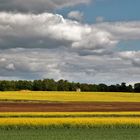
[34, 46]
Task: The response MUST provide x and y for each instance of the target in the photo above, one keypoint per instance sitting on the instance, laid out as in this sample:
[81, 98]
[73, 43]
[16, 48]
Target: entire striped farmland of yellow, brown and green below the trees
[71, 115]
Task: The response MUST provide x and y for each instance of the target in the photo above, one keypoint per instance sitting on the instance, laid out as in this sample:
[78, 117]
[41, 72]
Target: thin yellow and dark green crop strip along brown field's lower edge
[67, 114]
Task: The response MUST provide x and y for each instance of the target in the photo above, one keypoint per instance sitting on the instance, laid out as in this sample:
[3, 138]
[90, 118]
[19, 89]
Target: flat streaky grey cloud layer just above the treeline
[62, 63]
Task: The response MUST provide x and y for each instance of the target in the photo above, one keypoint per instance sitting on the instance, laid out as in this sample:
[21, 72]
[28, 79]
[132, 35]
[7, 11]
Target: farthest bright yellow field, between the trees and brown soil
[70, 96]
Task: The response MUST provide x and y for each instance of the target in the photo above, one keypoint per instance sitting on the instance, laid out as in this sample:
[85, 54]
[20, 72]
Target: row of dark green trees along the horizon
[64, 85]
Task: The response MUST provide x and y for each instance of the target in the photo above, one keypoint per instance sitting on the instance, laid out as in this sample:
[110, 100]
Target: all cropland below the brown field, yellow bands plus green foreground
[70, 126]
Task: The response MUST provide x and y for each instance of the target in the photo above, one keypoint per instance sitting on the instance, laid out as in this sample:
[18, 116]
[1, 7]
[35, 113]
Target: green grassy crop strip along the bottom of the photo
[71, 134]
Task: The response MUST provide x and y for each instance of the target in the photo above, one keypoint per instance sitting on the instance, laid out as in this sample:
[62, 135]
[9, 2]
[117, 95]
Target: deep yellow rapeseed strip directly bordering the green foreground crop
[126, 121]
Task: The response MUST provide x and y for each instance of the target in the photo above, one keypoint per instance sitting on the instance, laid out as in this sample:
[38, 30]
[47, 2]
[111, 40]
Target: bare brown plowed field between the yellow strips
[69, 107]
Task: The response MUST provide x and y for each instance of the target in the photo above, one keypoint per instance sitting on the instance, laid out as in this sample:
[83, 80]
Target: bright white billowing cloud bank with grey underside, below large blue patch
[52, 30]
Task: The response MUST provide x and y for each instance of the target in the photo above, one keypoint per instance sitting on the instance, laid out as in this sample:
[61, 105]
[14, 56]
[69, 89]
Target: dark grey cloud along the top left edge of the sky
[38, 5]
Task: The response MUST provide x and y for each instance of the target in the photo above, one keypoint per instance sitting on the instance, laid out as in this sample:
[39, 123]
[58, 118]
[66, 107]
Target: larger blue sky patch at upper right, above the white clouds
[111, 10]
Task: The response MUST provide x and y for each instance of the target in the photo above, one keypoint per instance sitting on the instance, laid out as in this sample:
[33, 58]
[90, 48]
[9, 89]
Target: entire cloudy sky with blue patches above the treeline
[87, 41]
